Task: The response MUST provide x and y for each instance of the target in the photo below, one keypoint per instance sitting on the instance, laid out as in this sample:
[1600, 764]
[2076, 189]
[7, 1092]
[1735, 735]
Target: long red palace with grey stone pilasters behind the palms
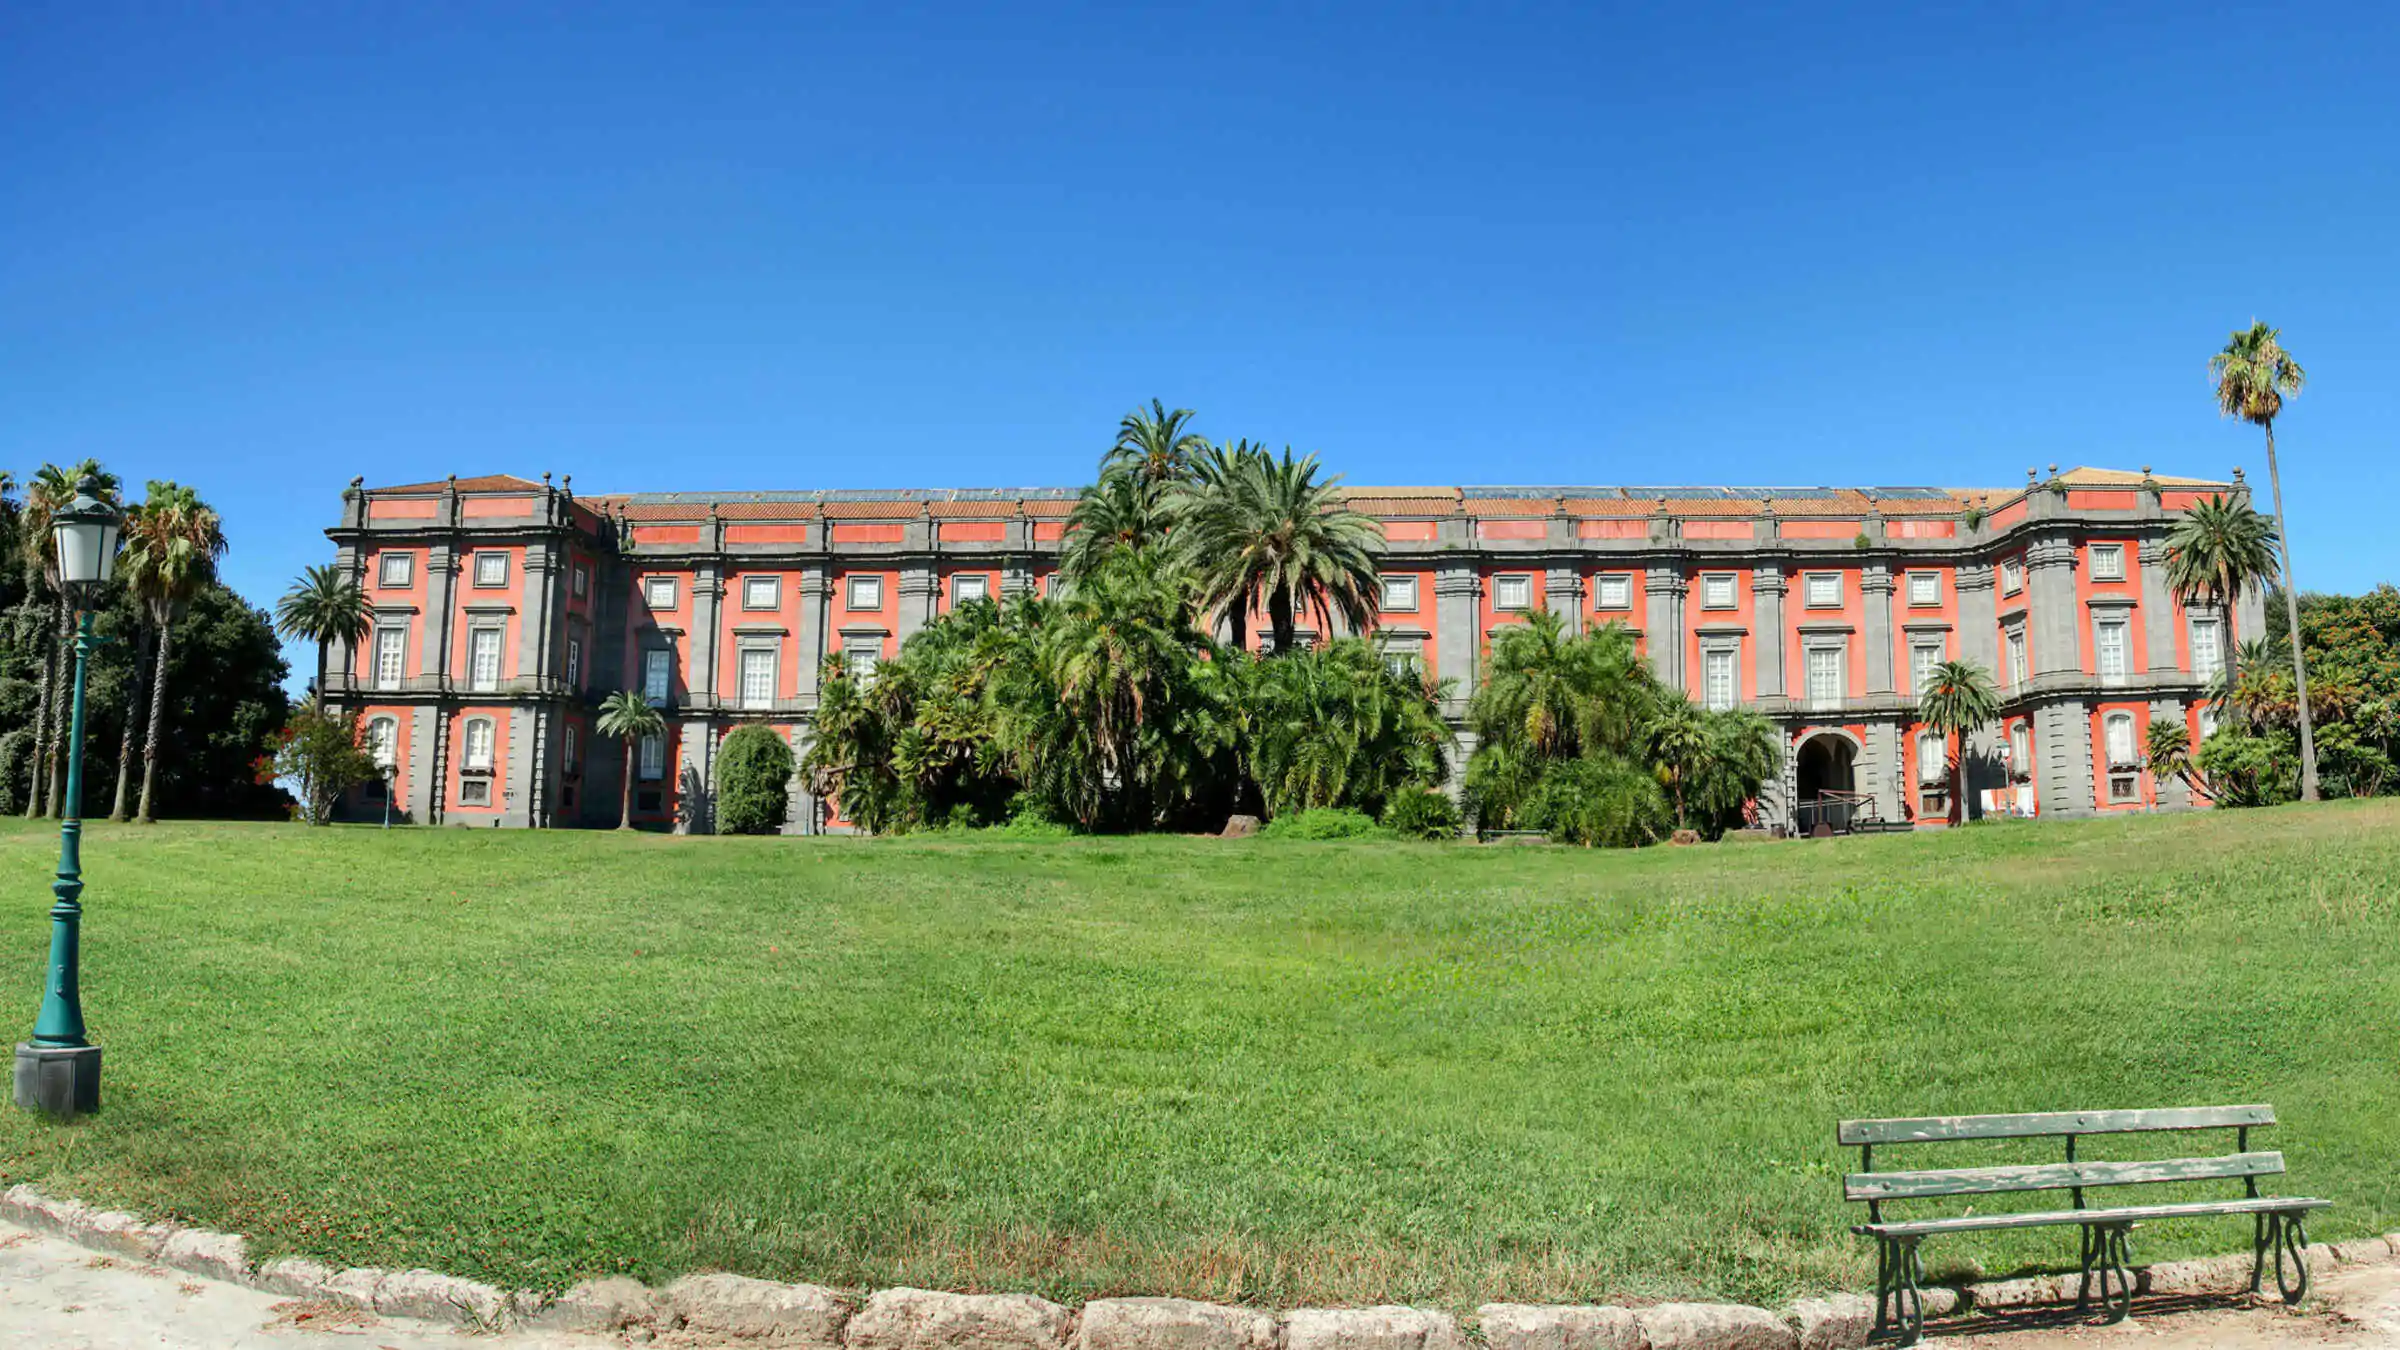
[508, 609]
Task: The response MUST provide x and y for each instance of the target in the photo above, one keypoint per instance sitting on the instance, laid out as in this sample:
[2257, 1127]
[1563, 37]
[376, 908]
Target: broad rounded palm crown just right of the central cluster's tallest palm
[1276, 532]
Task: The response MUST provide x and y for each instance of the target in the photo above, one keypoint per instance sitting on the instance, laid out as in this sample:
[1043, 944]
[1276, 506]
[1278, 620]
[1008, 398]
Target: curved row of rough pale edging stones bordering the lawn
[820, 1318]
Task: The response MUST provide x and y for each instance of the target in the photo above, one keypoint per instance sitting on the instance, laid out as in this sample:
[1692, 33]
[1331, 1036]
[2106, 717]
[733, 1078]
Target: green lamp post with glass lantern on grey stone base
[59, 1073]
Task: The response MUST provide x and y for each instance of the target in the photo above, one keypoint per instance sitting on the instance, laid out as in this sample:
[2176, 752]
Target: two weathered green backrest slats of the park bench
[2072, 1176]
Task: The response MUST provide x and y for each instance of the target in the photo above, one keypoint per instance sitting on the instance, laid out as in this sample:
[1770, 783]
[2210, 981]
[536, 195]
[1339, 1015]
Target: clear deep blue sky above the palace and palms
[263, 249]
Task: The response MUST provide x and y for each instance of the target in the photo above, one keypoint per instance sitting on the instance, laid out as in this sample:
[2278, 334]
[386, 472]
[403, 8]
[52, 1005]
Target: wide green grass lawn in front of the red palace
[1276, 1073]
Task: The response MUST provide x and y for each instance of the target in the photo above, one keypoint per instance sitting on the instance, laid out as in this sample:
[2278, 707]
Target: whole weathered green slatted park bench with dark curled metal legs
[1900, 1274]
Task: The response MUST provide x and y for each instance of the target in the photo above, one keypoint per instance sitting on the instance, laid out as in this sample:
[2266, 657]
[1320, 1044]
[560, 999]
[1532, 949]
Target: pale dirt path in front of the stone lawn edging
[56, 1296]
